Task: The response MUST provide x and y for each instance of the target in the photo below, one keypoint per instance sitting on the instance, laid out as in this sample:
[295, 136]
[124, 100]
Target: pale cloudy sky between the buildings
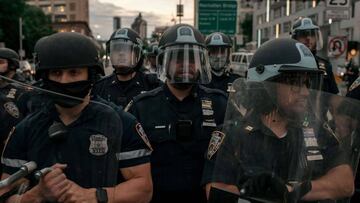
[155, 12]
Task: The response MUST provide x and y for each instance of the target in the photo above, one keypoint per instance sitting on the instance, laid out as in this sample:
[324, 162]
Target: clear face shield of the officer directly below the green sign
[218, 57]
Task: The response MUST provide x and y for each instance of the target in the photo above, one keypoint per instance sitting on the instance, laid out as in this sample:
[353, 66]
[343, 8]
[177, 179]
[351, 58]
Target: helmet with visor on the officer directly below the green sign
[219, 49]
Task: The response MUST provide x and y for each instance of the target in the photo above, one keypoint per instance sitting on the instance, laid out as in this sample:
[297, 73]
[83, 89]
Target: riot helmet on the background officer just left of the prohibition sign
[307, 32]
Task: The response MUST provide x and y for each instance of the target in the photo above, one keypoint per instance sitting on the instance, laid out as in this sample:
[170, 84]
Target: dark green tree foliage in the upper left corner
[35, 25]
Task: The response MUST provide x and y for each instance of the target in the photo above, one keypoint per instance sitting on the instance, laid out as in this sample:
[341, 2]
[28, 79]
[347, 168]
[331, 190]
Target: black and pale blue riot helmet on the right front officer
[284, 61]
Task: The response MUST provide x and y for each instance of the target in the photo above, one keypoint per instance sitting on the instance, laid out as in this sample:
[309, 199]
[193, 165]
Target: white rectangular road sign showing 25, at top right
[337, 9]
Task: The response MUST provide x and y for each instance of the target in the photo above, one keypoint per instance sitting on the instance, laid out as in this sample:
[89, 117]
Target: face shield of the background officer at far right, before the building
[312, 38]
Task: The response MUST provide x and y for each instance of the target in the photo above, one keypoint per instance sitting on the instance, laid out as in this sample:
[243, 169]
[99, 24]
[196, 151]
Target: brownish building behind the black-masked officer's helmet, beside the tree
[66, 15]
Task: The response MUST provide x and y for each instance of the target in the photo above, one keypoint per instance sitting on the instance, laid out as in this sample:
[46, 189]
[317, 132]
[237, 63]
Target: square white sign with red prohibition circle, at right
[337, 46]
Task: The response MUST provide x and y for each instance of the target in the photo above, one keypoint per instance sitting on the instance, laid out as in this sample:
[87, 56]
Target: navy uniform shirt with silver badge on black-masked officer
[95, 146]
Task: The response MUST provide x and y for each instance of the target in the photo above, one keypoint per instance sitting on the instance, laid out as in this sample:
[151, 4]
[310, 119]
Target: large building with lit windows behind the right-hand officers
[274, 18]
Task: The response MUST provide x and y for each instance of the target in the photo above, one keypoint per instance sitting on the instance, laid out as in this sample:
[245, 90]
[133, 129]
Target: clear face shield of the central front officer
[185, 63]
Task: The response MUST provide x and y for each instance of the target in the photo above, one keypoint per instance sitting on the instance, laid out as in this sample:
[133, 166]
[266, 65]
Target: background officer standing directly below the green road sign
[219, 49]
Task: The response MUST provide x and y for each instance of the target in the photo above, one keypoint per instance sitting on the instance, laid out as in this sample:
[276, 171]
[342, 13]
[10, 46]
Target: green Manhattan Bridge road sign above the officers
[217, 16]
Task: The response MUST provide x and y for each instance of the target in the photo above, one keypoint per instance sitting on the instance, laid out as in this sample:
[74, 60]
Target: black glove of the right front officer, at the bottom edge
[265, 185]
